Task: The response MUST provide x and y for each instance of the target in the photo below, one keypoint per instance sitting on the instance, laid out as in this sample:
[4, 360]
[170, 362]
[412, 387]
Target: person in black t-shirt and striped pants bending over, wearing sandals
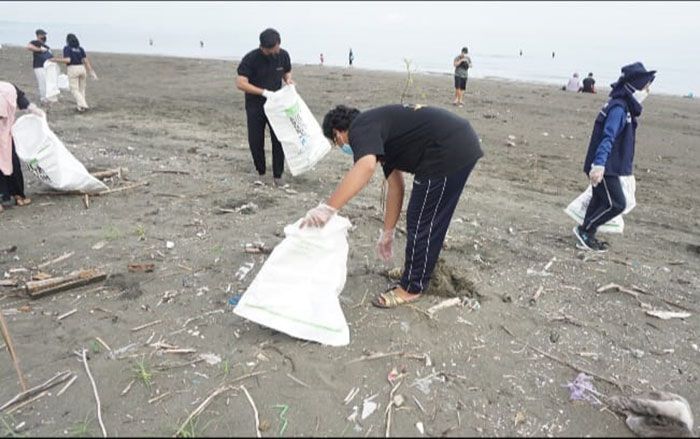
[437, 146]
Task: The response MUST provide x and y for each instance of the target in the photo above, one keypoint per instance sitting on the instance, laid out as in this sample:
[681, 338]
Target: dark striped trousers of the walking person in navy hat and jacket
[608, 201]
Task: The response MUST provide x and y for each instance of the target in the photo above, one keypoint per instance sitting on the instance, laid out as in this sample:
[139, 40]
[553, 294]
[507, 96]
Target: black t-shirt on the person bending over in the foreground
[425, 141]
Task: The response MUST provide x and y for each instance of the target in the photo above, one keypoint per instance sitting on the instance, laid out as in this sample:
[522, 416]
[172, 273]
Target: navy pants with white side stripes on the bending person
[430, 209]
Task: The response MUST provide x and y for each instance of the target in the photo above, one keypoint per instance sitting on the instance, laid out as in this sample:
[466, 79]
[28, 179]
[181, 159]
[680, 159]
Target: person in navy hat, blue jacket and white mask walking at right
[610, 155]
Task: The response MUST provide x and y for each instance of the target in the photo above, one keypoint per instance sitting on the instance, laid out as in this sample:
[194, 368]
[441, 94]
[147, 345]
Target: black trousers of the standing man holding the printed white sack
[256, 141]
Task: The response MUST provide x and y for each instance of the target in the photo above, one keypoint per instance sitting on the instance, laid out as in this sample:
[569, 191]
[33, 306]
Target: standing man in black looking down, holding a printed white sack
[261, 72]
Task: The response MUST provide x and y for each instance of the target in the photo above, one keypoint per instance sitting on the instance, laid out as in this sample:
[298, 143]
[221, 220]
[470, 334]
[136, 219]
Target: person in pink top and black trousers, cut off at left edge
[11, 178]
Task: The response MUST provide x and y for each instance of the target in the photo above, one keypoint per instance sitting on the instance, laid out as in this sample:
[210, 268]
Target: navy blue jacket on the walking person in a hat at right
[613, 139]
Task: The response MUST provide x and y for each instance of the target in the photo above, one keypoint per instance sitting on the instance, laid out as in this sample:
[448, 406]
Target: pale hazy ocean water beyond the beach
[678, 65]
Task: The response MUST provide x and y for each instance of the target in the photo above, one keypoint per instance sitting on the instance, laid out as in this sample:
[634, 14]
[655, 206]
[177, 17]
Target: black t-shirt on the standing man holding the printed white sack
[264, 71]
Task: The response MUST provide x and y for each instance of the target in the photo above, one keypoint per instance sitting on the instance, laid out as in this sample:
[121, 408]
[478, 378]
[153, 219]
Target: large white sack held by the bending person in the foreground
[297, 289]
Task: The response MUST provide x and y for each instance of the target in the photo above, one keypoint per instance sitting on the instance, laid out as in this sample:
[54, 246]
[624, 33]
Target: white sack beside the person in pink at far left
[47, 157]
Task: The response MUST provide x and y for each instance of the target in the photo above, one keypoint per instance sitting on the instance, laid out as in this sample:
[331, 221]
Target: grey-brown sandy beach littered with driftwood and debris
[496, 369]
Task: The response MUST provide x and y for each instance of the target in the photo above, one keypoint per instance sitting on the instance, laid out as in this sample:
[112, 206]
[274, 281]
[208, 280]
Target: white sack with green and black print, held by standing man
[297, 130]
